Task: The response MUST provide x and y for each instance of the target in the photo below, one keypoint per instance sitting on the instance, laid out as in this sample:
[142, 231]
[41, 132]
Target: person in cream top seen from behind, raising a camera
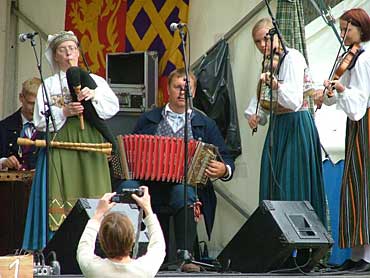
[117, 236]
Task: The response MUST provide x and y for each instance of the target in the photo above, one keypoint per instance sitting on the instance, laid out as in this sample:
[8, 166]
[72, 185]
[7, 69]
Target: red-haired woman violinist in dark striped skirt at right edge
[351, 93]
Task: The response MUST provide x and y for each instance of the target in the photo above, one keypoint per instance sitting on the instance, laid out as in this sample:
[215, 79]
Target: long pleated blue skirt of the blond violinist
[295, 165]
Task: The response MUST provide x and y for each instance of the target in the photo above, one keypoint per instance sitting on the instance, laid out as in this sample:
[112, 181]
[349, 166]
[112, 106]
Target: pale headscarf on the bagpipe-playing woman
[52, 44]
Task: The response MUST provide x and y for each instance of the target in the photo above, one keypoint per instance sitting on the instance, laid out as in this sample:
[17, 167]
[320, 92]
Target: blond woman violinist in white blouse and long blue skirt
[296, 165]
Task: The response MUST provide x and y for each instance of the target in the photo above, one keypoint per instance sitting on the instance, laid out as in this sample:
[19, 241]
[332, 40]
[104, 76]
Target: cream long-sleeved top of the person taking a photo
[145, 266]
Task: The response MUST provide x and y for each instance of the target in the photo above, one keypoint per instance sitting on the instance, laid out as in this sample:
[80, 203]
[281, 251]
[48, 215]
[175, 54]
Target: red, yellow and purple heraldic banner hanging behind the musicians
[108, 26]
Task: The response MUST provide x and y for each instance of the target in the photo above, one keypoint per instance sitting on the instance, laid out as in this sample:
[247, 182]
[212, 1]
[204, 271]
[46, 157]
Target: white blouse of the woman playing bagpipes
[105, 101]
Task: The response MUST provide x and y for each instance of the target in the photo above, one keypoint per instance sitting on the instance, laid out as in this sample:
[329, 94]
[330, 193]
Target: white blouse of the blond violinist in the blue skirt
[290, 91]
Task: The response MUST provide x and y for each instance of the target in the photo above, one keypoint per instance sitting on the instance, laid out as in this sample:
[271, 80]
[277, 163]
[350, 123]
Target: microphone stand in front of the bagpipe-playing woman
[48, 115]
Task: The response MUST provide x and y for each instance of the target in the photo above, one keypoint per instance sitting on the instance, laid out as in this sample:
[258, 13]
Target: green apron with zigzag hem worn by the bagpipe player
[75, 174]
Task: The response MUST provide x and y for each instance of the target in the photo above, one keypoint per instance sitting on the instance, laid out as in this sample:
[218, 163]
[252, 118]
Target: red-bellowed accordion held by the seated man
[160, 158]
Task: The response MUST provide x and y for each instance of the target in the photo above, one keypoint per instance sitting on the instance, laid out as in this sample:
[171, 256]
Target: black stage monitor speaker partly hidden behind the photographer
[66, 239]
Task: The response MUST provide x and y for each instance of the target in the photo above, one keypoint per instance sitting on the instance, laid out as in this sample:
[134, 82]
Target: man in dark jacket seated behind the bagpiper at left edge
[20, 124]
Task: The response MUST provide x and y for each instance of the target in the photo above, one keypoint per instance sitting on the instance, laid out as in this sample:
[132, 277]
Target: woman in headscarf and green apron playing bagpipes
[73, 174]
